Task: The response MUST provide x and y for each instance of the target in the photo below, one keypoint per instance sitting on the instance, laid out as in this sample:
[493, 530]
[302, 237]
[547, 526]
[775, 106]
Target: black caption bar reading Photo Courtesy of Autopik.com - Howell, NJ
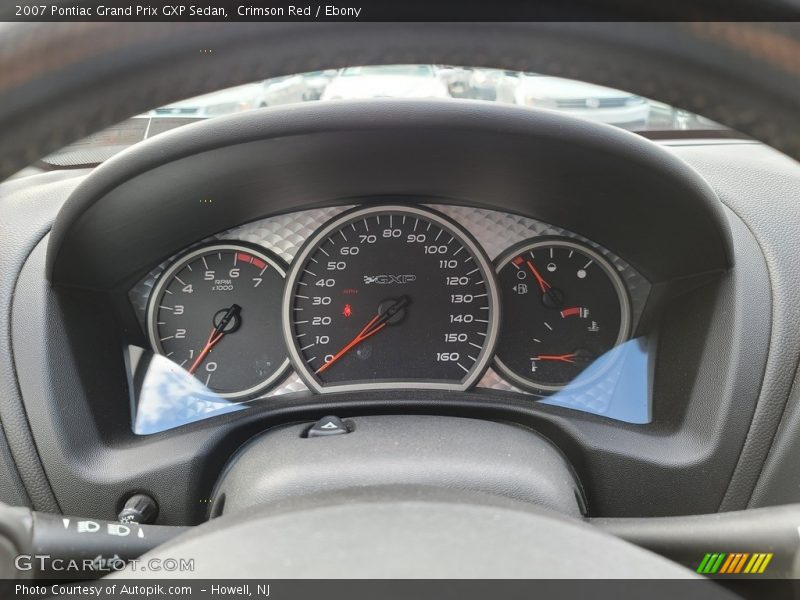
[388, 589]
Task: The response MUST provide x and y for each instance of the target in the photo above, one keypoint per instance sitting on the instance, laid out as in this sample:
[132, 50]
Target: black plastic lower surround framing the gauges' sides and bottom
[680, 464]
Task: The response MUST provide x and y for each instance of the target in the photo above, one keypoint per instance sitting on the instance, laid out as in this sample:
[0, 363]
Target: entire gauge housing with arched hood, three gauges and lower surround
[392, 258]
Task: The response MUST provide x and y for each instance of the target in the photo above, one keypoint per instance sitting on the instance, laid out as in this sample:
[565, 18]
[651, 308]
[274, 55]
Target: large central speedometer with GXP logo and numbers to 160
[391, 296]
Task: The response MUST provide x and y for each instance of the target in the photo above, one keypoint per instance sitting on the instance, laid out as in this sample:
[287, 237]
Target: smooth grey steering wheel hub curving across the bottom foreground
[400, 532]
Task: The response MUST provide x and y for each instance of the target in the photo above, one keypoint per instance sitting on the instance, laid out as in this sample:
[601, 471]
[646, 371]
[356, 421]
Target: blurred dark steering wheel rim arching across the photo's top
[61, 83]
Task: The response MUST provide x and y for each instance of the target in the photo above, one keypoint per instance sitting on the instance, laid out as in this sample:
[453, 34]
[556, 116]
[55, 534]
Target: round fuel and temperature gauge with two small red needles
[564, 306]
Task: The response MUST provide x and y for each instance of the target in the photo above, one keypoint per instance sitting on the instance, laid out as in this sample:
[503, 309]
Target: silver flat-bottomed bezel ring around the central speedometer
[463, 236]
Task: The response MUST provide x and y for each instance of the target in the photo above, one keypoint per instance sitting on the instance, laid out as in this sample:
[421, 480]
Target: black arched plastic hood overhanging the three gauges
[614, 187]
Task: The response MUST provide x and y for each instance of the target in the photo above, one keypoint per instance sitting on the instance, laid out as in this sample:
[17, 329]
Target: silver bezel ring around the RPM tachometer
[176, 264]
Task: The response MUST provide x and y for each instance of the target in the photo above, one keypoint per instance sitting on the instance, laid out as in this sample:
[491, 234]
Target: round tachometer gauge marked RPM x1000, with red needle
[215, 312]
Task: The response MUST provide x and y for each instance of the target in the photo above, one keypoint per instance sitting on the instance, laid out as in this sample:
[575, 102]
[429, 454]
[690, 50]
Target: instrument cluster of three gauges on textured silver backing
[390, 296]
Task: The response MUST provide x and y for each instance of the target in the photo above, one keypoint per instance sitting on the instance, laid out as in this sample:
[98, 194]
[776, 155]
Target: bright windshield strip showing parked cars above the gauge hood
[526, 90]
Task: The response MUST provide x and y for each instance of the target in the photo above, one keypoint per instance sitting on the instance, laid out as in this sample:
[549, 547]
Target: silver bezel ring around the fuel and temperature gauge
[616, 280]
